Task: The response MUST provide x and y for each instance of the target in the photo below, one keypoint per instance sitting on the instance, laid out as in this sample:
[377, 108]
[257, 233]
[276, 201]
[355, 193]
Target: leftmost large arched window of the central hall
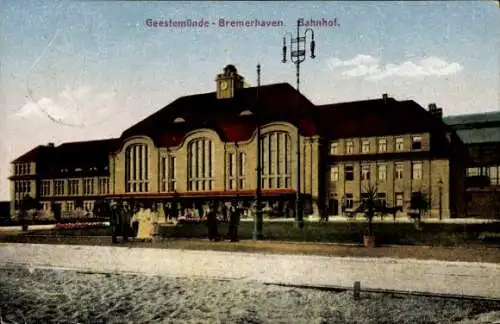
[136, 168]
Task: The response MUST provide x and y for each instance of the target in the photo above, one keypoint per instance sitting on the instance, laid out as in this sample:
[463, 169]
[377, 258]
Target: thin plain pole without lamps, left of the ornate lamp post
[257, 233]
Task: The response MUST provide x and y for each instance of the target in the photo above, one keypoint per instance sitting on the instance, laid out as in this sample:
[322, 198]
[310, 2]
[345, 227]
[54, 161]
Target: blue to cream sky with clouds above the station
[84, 70]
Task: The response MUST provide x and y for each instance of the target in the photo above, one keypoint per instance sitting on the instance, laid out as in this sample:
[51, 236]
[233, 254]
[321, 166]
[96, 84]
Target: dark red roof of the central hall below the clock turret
[276, 102]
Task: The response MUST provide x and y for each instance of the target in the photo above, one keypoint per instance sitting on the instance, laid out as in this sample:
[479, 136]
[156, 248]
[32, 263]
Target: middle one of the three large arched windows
[200, 173]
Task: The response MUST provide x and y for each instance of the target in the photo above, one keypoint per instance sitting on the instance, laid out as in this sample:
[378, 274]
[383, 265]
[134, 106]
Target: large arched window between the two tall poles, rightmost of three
[276, 160]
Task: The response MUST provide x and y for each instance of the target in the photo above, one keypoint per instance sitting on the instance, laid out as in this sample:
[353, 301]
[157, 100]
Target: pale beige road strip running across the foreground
[386, 274]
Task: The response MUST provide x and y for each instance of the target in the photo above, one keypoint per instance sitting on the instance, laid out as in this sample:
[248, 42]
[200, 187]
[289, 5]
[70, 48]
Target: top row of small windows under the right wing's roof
[381, 146]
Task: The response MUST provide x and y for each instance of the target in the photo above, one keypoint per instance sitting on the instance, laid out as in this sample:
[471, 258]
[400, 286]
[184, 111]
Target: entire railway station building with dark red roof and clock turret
[203, 147]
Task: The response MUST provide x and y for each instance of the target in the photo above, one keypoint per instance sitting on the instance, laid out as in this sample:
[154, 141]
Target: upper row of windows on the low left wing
[73, 187]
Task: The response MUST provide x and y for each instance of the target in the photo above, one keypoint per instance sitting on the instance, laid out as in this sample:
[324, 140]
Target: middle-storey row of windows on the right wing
[365, 174]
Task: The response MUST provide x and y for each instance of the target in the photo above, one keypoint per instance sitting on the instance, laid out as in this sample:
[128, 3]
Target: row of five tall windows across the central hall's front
[276, 149]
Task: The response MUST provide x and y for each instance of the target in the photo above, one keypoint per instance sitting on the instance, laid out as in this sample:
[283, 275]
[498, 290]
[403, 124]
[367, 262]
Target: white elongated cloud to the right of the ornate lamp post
[370, 68]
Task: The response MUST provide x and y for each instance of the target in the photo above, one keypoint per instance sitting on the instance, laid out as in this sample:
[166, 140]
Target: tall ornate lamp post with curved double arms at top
[297, 56]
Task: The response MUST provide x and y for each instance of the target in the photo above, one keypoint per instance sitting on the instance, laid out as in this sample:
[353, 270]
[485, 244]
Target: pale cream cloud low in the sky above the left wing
[79, 107]
